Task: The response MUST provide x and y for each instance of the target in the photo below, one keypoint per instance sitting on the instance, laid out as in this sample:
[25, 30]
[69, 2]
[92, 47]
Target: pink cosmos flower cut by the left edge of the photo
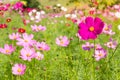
[8, 49]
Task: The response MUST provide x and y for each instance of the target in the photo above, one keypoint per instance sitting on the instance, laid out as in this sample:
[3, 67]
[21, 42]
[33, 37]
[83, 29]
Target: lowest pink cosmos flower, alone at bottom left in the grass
[18, 69]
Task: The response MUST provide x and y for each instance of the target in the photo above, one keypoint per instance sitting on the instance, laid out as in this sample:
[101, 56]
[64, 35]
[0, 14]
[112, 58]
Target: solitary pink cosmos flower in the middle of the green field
[62, 41]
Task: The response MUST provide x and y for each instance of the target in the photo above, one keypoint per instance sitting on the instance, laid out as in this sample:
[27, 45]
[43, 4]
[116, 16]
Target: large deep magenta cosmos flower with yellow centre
[91, 28]
